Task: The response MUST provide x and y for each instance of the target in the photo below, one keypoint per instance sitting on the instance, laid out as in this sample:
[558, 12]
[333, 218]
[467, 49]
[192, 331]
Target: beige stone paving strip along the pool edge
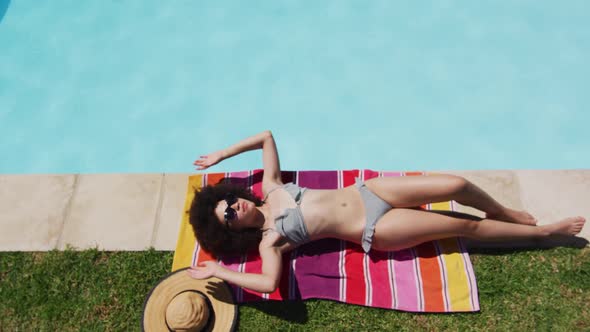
[138, 211]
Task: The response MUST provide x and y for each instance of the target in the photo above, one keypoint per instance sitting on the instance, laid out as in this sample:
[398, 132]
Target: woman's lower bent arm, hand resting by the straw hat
[265, 282]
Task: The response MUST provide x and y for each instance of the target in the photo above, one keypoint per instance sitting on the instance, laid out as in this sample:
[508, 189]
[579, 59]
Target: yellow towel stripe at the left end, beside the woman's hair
[186, 237]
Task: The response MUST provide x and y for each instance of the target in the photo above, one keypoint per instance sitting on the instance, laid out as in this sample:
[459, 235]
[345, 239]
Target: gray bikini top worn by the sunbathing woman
[290, 223]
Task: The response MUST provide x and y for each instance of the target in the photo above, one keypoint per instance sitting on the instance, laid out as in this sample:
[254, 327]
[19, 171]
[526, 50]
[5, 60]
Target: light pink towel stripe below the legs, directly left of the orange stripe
[405, 280]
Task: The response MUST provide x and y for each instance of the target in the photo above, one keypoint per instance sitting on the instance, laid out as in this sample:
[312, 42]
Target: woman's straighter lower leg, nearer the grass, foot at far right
[403, 228]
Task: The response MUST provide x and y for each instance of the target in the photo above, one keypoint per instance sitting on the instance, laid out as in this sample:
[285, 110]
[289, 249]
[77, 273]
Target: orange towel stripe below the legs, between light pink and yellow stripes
[431, 277]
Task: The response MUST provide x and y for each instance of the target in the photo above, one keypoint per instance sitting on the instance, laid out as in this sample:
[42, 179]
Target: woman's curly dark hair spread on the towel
[213, 236]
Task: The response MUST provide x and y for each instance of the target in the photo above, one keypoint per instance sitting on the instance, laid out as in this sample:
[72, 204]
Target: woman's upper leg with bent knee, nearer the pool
[411, 191]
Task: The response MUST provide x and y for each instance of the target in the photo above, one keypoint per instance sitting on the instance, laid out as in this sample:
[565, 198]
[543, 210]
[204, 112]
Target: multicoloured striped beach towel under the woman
[435, 276]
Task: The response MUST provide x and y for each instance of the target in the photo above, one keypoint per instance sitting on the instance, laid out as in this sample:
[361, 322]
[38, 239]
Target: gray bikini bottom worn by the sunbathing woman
[375, 208]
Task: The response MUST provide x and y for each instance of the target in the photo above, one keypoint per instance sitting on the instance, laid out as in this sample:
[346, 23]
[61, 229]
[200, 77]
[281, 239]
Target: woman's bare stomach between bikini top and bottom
[334, 213]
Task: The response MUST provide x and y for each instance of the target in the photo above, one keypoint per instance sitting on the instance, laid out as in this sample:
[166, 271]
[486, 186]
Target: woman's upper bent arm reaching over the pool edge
[270, 157]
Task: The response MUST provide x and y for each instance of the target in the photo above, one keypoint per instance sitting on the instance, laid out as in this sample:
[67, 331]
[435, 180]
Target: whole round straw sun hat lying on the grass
[181, 303]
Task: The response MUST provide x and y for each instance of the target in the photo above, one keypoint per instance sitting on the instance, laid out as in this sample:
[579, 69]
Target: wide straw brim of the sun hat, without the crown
[217, 291]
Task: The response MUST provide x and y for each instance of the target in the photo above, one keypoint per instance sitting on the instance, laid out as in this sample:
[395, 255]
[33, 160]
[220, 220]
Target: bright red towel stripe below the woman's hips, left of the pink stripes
[355, 274]
